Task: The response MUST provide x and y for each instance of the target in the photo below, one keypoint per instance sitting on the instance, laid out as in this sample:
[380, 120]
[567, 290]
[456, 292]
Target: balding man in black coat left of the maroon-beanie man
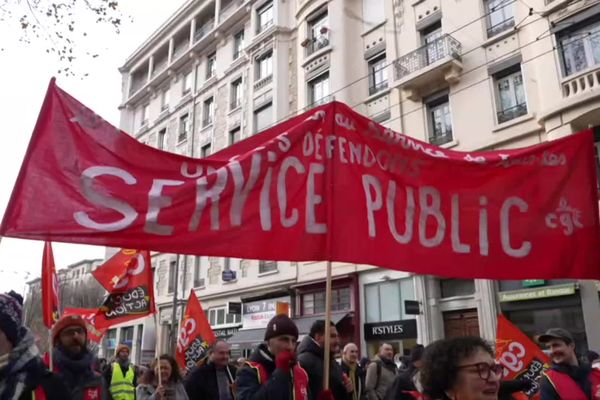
[213, 380]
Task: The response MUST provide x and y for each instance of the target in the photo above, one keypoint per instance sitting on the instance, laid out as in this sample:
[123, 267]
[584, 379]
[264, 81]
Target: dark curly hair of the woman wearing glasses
[441, 359]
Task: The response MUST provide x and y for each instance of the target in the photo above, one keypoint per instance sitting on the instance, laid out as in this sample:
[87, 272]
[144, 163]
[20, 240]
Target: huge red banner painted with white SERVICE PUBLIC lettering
[329, 184]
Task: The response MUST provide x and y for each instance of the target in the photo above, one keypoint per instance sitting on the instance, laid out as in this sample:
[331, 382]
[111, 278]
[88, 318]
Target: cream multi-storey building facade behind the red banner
[219, 71]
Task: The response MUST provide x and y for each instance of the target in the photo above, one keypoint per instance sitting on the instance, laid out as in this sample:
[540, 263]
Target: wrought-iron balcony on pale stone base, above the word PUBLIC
[430, 67]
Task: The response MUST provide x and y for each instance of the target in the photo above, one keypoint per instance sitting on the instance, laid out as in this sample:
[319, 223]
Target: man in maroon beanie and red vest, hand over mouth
[272, 371]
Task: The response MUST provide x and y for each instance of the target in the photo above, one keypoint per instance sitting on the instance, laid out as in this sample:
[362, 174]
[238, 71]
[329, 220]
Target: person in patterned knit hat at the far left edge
[23, 375]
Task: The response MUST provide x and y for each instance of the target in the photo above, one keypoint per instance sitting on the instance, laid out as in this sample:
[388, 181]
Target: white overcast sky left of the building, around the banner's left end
[24, 74]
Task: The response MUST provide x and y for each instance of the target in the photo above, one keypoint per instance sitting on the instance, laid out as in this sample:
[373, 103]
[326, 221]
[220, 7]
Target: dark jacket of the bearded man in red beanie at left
[81, 380]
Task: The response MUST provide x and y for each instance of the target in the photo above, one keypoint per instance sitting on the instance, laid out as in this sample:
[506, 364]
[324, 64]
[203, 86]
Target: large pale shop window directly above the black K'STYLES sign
[385, 301]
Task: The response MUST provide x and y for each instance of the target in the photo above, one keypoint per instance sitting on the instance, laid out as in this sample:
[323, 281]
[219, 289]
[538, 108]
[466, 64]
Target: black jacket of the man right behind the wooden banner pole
[310, 357]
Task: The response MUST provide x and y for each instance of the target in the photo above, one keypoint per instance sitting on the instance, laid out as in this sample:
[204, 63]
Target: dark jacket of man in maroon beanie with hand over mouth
[279, 386]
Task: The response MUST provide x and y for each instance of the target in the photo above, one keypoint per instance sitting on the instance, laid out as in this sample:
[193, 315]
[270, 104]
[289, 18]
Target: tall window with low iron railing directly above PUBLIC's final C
[510, 94]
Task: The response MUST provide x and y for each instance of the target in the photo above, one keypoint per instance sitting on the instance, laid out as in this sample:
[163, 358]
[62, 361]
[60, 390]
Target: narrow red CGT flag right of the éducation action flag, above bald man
[195, 335]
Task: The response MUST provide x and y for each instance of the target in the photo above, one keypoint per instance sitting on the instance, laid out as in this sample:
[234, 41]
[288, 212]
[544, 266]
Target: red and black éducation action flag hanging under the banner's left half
[127, 276]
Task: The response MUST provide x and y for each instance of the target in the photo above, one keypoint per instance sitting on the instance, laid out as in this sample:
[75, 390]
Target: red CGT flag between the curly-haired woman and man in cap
[522, 359]
